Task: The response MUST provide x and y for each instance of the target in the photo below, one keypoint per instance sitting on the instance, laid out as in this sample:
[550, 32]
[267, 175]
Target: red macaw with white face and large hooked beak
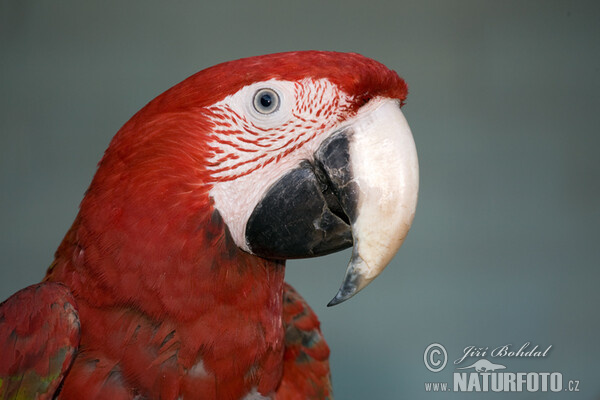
[170, 282]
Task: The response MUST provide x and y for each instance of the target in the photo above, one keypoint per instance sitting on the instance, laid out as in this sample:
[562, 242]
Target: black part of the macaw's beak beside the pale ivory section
[308, 211]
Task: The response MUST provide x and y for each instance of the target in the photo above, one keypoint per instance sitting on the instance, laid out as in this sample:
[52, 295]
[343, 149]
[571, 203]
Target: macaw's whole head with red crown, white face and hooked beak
[300, 154]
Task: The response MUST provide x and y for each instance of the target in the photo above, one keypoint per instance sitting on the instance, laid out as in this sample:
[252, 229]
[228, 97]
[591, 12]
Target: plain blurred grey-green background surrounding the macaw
[504, 105]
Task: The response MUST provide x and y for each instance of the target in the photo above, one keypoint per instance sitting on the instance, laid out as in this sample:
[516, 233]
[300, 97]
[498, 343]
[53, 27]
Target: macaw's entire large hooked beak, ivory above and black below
[360, 189]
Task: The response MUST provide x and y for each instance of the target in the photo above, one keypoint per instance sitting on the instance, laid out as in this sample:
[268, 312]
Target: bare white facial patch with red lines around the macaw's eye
[252, 150]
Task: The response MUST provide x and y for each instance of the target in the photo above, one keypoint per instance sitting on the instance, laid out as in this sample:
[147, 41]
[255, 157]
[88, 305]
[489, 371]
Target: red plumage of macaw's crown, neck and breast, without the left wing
[169, 306]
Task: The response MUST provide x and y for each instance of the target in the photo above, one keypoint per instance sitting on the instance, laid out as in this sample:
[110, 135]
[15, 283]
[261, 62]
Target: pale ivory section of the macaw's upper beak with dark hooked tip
[385, 173]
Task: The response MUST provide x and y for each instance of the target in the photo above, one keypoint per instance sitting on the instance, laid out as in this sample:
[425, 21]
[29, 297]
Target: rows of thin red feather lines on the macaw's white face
[256, 147]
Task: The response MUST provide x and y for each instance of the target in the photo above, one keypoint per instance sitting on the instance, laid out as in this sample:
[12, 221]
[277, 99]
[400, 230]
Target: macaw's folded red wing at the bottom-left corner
[39, 335]
